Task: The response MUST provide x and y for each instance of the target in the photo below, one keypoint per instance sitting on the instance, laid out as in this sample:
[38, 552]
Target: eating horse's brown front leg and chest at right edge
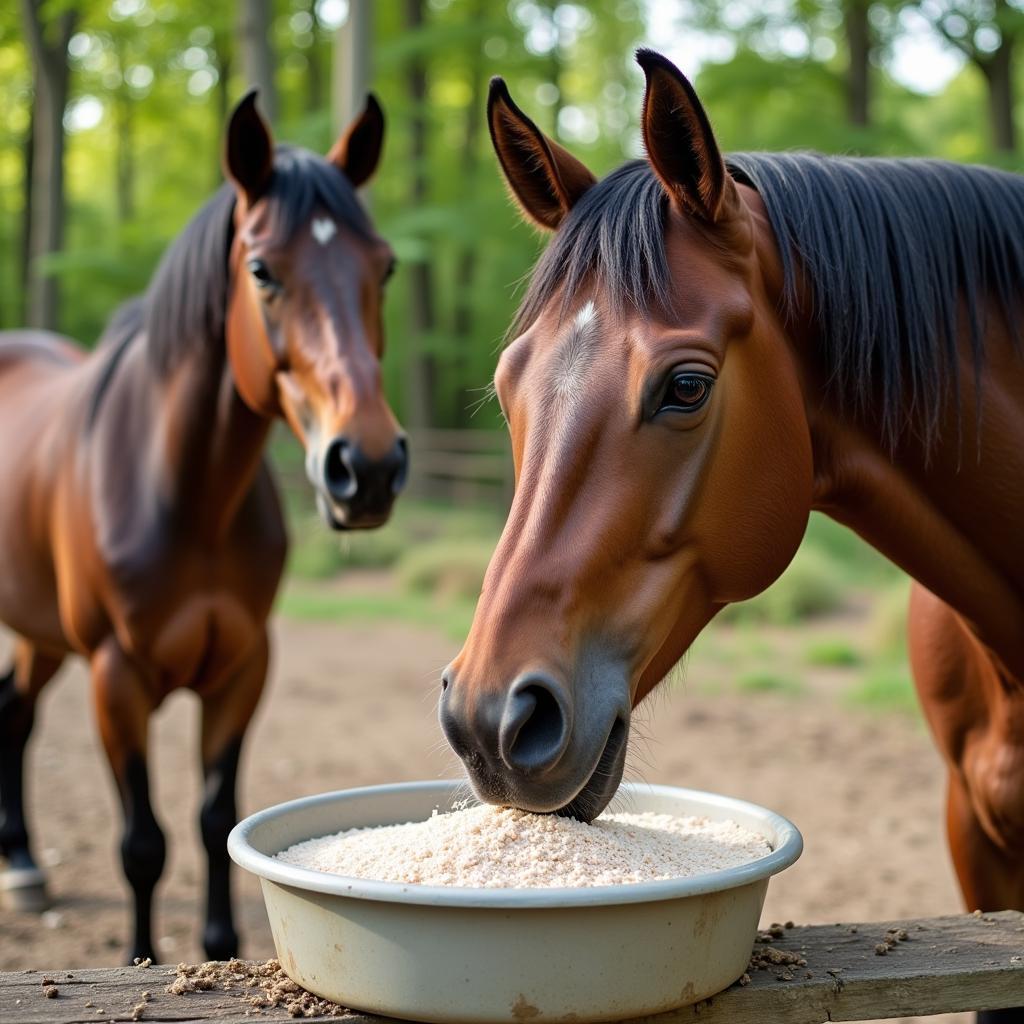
[979, 726]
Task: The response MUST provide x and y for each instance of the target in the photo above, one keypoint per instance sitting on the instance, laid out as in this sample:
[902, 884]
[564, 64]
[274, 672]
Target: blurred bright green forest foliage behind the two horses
[152, 84]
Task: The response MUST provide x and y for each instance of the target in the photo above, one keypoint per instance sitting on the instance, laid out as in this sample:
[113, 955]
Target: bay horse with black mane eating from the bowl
[709, 350]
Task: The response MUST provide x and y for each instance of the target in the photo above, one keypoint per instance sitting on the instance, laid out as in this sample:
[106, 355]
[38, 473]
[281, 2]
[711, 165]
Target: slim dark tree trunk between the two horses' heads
[422, 377]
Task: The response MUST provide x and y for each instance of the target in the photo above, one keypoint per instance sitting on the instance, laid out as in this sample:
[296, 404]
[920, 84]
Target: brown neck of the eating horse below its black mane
[950, 516]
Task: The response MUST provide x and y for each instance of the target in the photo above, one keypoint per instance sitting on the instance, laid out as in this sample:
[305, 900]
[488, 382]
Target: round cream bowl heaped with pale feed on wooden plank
[567, 935]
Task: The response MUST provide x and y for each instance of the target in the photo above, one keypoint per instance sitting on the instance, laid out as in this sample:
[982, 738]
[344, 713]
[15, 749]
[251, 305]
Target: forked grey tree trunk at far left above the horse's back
[49, 47]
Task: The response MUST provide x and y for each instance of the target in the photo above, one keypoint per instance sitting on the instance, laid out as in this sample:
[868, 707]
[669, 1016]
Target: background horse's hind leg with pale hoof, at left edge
[22, 884]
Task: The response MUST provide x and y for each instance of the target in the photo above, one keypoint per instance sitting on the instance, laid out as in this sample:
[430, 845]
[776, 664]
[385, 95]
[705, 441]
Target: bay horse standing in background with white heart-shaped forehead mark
[140, 525]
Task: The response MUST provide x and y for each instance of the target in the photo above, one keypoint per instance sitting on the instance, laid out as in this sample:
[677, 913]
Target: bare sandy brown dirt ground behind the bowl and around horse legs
[353, 705]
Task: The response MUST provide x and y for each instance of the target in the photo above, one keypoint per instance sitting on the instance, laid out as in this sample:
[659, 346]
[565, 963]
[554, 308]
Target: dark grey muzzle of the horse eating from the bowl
[541, 745]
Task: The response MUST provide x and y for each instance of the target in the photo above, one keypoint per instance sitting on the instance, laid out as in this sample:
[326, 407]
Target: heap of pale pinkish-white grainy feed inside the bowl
[503, 848]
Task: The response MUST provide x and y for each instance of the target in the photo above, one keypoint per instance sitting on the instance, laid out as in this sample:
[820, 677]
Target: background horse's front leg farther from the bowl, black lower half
[124, 704]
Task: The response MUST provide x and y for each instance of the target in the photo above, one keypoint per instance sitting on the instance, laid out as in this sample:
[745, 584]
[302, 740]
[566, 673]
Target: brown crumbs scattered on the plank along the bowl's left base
[262, 986]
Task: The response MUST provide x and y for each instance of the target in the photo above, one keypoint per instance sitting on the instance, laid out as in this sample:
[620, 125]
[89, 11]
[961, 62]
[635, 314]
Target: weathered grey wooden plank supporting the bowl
[946, 965]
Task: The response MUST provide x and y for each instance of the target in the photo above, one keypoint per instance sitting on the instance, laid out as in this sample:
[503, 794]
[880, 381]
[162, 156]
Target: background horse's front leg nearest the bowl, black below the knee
[227, 713]
